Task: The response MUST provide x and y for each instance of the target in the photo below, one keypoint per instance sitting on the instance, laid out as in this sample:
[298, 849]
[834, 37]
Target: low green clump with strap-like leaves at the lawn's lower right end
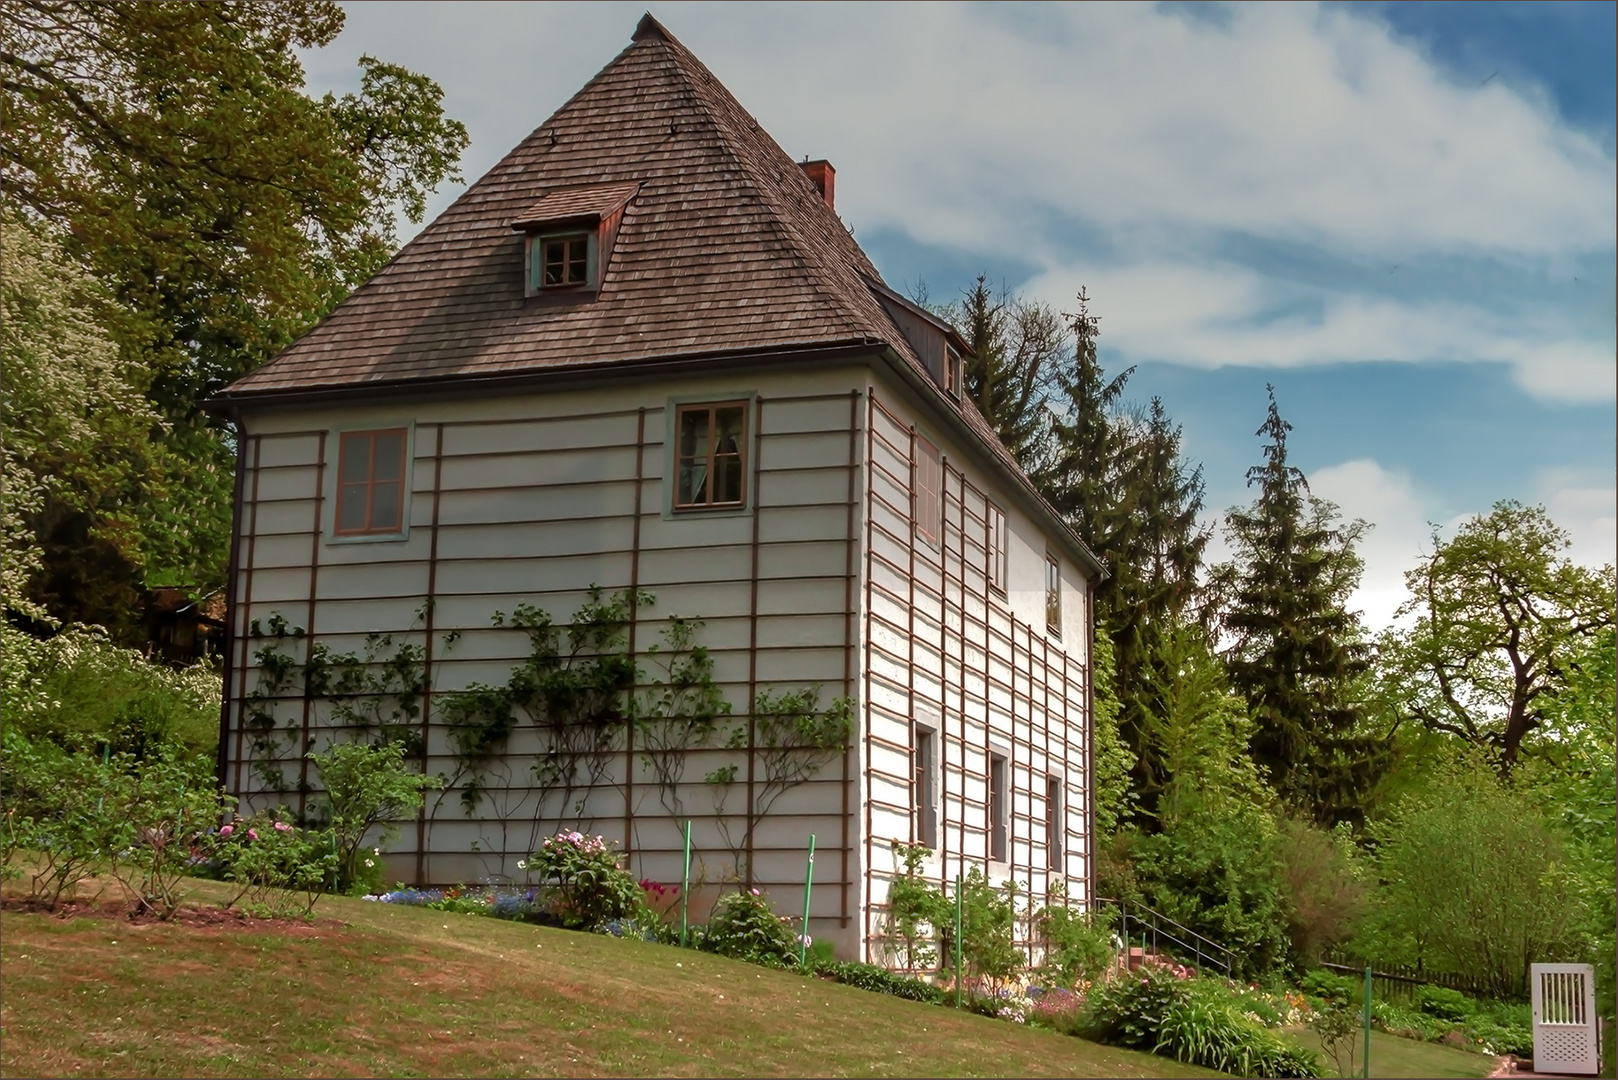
[1192, 1021]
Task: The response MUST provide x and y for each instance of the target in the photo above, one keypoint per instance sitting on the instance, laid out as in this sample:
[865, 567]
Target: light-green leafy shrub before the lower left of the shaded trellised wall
[366, 789]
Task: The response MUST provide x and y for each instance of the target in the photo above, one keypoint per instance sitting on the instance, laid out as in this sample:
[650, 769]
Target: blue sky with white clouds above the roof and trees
[1402, 216]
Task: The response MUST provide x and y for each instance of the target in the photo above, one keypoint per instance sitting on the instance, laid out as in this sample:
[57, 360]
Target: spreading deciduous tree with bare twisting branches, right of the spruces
[1501, 614]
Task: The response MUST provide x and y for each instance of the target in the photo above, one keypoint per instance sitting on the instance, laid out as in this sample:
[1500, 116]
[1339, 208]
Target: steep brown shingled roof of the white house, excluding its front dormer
[727, 247]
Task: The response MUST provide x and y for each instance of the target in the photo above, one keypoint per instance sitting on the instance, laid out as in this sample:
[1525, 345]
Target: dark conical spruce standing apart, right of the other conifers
[1295, 652]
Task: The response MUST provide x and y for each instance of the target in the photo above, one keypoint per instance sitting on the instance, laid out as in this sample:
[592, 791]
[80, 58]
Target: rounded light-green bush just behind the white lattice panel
[1475, 882]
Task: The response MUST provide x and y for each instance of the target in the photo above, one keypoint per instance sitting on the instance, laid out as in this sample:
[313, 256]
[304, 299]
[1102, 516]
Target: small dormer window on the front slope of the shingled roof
[570, 236]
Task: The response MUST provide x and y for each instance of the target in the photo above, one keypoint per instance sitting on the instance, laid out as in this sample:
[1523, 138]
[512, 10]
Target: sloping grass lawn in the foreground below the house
[375, 990]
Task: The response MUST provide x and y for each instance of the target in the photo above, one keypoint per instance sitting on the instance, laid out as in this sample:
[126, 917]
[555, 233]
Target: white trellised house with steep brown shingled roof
[645, 354]
